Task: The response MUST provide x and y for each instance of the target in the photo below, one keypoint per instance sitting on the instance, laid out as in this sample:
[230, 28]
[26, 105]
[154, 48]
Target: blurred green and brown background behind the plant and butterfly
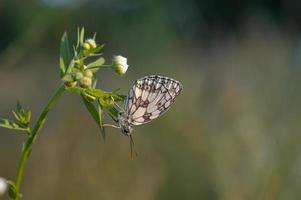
[233, 134]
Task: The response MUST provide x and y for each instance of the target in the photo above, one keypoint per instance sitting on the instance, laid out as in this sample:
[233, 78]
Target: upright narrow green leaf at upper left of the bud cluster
[65, 56]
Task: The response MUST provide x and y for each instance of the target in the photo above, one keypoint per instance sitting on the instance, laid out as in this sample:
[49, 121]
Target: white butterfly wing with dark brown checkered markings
[150, 97]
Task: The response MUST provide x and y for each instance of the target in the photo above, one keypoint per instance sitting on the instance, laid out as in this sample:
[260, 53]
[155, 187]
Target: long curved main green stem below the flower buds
[32, 137]
